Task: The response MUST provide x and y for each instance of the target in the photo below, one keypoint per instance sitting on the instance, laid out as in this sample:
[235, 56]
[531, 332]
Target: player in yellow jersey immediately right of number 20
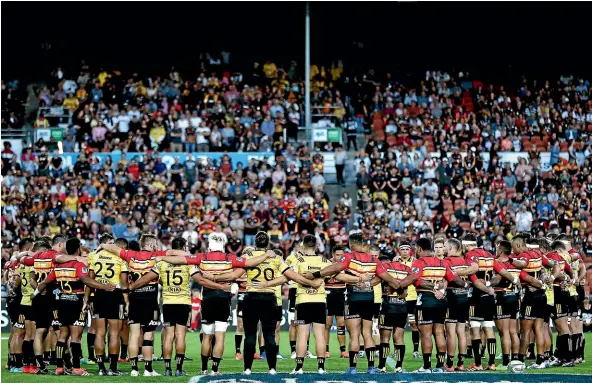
[311, 307]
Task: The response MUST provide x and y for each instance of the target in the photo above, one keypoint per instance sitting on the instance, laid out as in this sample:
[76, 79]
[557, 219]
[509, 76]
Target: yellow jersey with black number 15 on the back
[176, 282]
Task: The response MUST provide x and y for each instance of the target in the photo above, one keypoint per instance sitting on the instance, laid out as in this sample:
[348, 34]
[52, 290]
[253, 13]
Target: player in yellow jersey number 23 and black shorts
[109, 307]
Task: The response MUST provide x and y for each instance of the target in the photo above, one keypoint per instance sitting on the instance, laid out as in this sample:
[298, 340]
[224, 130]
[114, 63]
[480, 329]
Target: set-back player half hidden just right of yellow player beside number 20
[335, 290]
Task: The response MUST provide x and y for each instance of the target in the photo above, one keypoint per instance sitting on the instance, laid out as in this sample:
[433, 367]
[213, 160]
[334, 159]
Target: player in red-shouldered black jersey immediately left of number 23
[71, 277]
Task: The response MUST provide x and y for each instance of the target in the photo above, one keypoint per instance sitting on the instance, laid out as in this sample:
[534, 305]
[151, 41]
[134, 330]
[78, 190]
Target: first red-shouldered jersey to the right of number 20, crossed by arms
[359, 264]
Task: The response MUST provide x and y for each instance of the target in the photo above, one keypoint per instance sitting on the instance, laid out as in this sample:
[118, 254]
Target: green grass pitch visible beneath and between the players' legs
[230, 365]
